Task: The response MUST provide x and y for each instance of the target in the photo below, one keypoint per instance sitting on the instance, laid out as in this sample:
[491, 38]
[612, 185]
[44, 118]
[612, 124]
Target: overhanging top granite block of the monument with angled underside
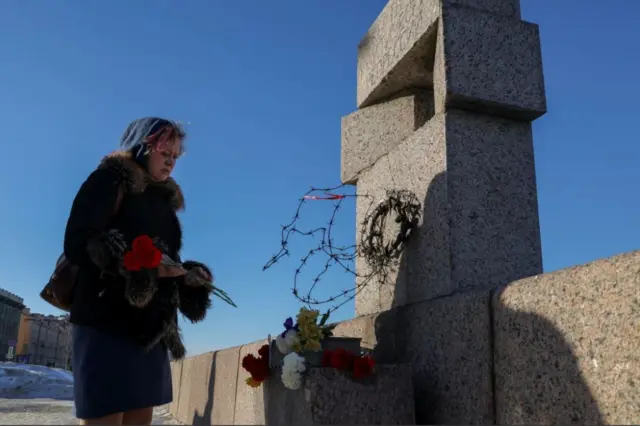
[475, 54]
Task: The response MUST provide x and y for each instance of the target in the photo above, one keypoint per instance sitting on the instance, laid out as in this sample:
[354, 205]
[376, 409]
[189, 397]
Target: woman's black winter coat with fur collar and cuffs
[138, 305]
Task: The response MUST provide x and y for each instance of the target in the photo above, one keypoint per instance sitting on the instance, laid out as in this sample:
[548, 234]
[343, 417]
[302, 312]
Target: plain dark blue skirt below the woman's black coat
[112, 374]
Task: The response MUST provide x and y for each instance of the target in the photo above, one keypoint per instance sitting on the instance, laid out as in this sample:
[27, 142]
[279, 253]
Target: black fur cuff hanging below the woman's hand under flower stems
[195, 292]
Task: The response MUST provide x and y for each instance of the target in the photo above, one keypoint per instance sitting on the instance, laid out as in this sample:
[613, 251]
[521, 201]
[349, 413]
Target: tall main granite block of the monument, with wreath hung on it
[475, 177]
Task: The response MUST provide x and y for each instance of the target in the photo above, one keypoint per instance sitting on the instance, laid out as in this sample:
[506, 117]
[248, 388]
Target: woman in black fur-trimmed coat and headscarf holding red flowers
[124, 315]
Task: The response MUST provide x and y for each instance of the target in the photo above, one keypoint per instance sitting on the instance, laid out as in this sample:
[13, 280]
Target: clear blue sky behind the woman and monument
[263, 86]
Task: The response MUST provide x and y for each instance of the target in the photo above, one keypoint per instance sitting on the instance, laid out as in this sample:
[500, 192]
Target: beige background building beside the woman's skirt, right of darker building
[45, 340]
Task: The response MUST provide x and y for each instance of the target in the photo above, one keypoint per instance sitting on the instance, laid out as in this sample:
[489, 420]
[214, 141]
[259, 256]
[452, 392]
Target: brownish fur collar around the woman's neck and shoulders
[136, 179]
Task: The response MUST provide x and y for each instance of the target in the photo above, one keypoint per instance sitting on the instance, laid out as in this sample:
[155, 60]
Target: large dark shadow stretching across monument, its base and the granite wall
[460, 374]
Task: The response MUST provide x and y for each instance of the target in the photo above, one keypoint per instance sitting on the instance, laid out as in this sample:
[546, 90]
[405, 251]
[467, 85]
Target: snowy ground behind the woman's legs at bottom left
[32, 394]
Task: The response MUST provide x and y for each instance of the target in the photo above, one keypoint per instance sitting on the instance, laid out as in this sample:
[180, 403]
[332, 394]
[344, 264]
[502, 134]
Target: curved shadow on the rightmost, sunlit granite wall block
[537, 375]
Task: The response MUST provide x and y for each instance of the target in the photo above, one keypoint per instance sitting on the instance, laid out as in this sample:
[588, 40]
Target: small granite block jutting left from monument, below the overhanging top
[372, 132]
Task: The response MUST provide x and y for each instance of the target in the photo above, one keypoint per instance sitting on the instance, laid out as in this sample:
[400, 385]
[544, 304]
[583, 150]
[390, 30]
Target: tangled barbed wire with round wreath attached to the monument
[379, 253]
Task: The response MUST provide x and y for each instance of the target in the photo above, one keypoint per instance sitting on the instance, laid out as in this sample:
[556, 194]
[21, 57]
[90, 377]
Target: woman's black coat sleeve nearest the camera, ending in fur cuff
[86, 238]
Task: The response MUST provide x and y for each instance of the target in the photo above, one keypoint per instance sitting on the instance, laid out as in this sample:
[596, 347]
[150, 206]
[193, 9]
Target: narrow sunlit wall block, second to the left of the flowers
[225, 386]
